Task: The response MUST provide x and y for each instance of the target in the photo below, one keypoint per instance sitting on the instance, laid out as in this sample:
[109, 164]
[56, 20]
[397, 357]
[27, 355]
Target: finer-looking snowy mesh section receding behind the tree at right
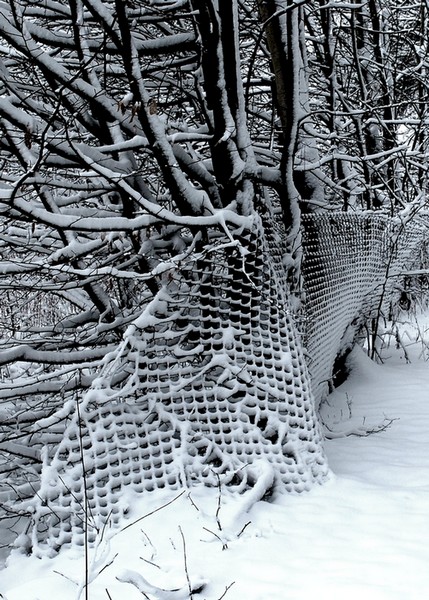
[351, 266]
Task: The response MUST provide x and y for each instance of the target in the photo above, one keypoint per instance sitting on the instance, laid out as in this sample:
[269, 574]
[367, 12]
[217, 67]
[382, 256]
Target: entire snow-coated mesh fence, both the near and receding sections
[213, 386]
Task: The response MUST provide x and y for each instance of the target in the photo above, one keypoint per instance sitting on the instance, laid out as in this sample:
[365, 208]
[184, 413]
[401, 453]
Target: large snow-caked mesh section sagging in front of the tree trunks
[209, 385]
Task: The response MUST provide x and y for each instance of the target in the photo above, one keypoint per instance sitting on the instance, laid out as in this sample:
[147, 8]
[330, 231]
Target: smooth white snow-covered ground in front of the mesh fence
[363, 535]
